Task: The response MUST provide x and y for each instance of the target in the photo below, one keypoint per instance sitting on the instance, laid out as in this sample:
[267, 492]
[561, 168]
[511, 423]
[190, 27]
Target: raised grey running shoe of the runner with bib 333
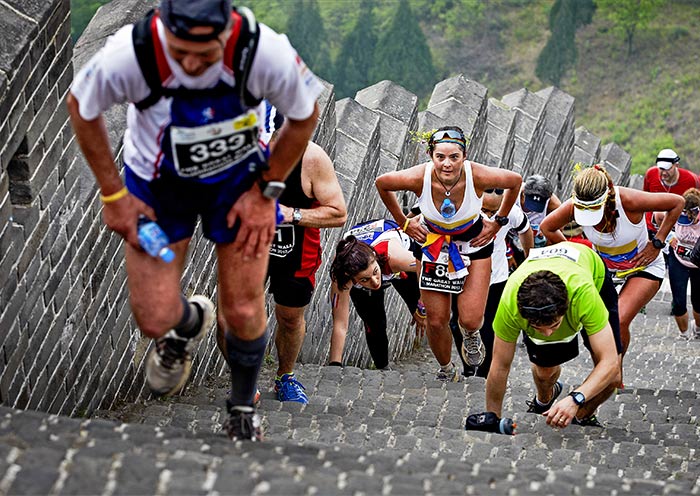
[169, 362]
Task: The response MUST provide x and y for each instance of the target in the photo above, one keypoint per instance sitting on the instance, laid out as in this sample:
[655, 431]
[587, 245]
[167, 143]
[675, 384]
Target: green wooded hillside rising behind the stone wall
[642, 95]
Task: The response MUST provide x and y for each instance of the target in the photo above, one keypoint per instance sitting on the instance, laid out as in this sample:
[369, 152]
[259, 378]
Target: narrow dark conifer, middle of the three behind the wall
[354, 62]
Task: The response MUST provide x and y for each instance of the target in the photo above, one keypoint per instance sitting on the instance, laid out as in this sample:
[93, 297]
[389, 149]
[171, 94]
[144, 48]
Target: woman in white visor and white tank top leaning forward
[613, 220]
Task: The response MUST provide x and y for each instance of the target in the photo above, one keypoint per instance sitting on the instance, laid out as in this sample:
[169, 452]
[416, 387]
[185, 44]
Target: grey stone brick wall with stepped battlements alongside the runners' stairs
[68, 343]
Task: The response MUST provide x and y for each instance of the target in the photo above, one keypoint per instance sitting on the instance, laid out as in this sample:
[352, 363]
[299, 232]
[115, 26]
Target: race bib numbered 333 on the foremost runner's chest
[207, 150]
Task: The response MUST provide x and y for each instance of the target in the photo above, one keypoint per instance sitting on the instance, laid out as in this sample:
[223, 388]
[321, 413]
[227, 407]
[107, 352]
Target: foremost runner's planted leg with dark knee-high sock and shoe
[242, 319]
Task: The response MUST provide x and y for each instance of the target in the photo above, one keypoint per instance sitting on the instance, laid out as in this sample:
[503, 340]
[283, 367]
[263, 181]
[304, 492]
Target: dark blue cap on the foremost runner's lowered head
[180, 16]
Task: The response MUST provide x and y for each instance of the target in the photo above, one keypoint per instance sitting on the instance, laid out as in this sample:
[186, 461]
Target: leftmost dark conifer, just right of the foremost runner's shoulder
[306, 32]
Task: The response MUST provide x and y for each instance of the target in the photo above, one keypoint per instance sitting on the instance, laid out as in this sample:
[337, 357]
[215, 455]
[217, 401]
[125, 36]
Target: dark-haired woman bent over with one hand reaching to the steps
[371, 257]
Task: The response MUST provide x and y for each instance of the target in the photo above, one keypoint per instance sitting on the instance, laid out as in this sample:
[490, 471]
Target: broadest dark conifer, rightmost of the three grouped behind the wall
[402, 54]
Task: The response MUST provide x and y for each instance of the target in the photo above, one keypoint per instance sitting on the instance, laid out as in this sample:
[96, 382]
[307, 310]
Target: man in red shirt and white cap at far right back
[668, 177]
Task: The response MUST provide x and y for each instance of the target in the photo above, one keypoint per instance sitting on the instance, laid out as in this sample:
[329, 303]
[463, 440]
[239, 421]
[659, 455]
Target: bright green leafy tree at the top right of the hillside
[628, 16]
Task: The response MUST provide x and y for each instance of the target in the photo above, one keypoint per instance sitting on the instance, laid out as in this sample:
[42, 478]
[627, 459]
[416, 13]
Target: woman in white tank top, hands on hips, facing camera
[456, 242]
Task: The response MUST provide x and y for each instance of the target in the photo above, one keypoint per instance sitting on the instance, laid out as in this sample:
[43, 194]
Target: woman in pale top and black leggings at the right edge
[681, 267]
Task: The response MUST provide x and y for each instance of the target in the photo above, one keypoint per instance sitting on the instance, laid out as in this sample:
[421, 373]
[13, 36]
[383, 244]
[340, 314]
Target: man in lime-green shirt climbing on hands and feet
[559, 291]
